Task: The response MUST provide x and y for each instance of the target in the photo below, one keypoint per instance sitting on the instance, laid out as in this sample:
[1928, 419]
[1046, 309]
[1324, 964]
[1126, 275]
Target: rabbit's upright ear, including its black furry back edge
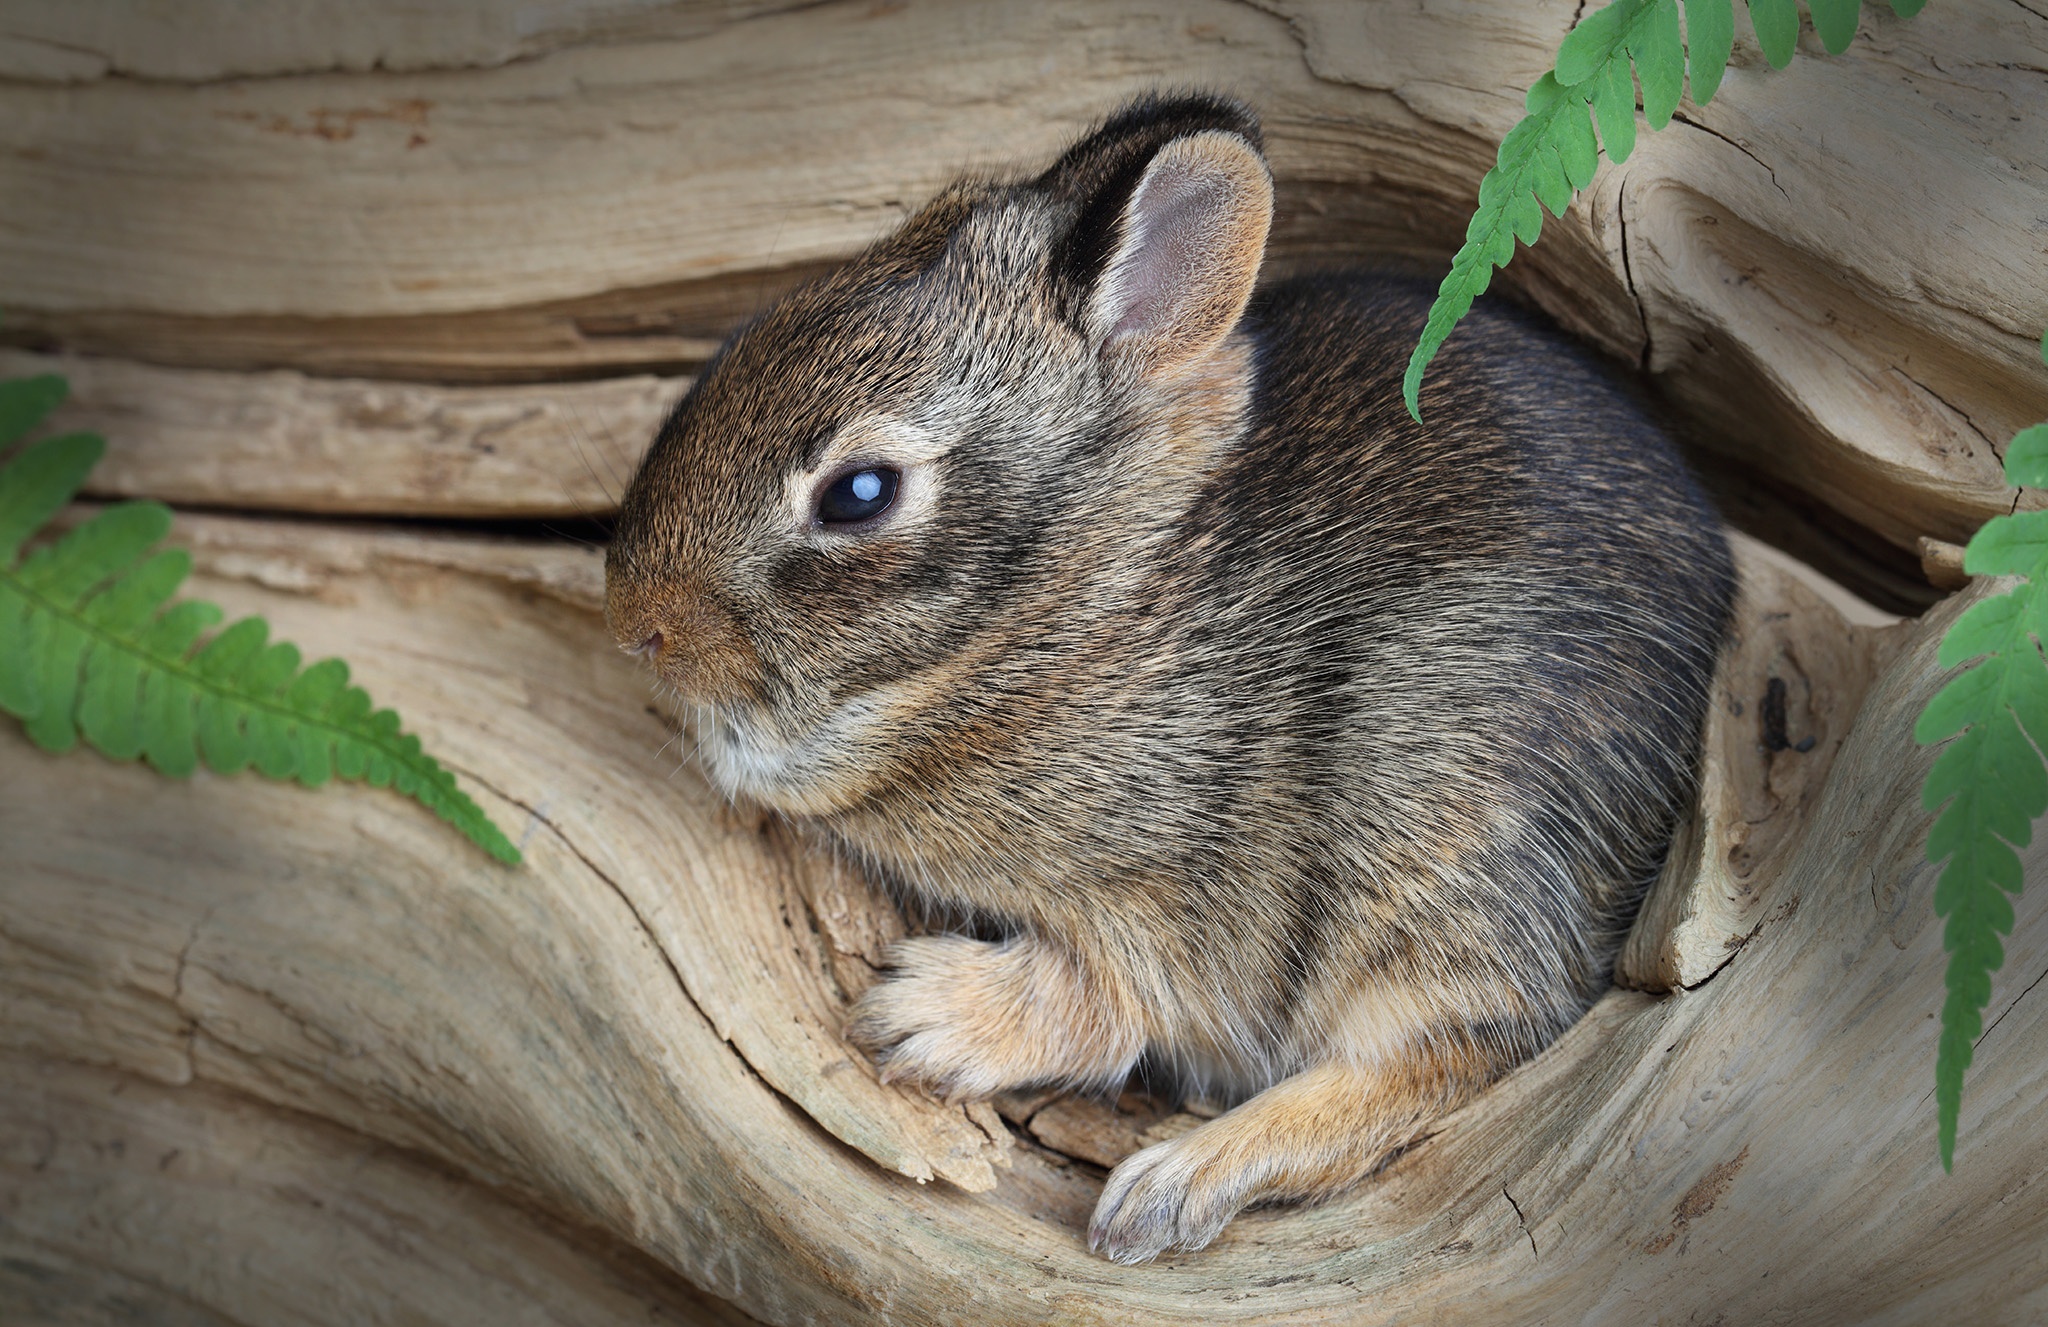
[1172, 206]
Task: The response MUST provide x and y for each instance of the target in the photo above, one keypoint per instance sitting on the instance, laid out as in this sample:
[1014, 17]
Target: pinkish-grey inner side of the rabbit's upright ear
[1193, 239]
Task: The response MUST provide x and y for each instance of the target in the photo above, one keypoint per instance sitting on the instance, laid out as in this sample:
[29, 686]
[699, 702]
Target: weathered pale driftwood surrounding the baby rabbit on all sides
[275, 1056]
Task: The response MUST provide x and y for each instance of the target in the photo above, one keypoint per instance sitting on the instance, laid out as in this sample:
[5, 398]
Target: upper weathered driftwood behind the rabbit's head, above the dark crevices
[493, 181]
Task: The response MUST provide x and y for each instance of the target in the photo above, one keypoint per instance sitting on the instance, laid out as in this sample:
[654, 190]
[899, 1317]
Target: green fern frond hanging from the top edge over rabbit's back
[1549, 157]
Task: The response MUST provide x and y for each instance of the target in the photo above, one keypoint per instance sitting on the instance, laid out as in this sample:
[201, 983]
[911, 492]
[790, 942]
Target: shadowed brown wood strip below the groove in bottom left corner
[128, 1176]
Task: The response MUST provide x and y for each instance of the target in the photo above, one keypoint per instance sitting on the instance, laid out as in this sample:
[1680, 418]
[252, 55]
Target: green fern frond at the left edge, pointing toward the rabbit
[91, 650]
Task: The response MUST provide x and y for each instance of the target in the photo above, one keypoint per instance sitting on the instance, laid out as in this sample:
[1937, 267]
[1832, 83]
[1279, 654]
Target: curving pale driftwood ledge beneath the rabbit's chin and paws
[636, 1033]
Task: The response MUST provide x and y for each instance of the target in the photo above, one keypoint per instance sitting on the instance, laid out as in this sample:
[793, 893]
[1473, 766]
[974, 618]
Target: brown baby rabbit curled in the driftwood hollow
[1078, 589]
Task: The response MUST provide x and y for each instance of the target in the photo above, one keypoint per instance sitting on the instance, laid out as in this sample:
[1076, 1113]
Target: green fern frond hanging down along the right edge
[1990, 783]
